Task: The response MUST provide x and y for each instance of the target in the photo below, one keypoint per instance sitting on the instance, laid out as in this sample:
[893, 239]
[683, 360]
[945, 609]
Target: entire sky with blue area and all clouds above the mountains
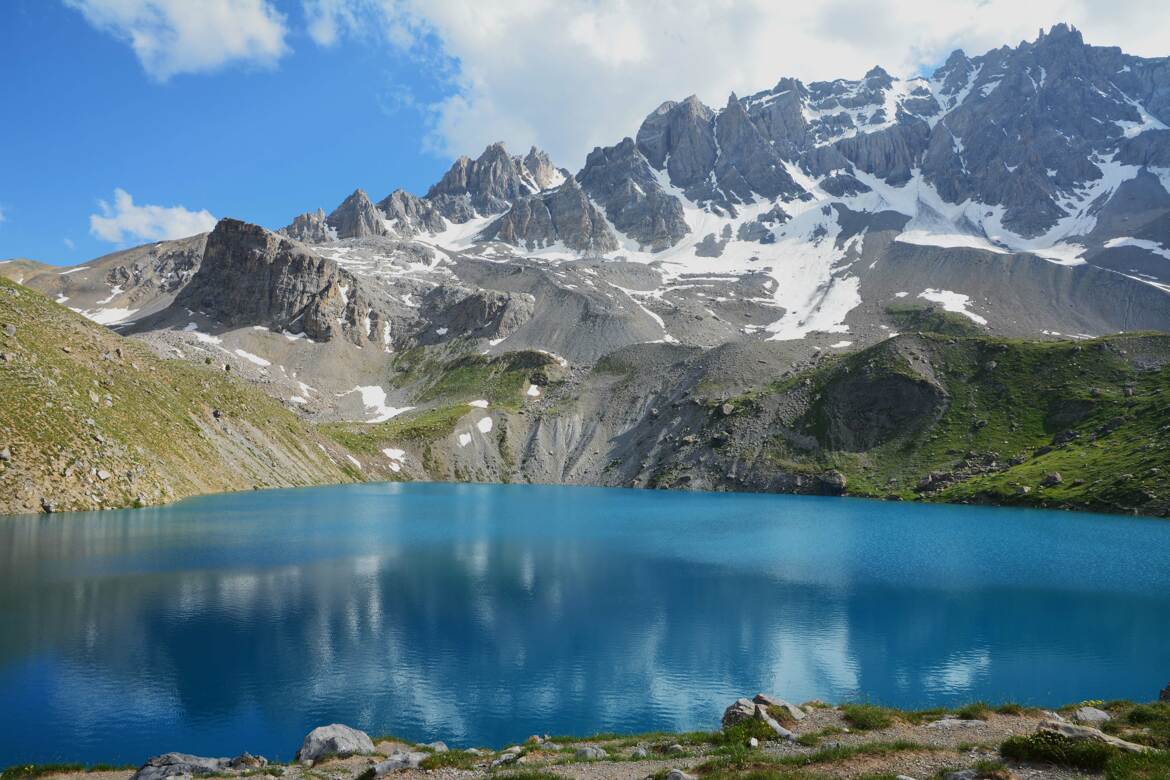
[175, 113]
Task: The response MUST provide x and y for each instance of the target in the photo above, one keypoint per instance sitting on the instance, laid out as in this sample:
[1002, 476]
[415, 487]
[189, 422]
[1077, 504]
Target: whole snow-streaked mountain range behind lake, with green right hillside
[775, 293]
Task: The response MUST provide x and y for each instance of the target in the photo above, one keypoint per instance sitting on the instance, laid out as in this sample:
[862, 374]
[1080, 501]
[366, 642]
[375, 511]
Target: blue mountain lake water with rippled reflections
[480, 615]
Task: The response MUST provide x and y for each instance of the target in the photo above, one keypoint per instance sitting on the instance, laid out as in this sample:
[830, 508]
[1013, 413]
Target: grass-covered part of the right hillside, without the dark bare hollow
[1008, 403]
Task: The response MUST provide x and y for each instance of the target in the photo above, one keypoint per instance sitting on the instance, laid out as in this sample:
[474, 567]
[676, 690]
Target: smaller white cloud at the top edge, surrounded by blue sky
[178, 37]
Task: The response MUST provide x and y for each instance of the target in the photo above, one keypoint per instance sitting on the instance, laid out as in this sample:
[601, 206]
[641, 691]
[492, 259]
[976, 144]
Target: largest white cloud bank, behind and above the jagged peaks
[572, 74]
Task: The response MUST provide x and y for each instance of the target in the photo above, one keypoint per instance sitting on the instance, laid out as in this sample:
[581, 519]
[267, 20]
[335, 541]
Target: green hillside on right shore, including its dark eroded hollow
[1082, 425]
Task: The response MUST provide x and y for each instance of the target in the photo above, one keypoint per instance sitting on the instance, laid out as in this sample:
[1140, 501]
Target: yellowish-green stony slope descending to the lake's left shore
[93, 420]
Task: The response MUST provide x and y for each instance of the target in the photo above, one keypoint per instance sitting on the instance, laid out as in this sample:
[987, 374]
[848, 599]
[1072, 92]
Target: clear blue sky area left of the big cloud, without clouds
[82, 119]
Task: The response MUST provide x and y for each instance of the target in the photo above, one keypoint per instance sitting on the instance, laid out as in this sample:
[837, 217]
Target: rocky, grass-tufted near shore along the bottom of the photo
[763, 738]
